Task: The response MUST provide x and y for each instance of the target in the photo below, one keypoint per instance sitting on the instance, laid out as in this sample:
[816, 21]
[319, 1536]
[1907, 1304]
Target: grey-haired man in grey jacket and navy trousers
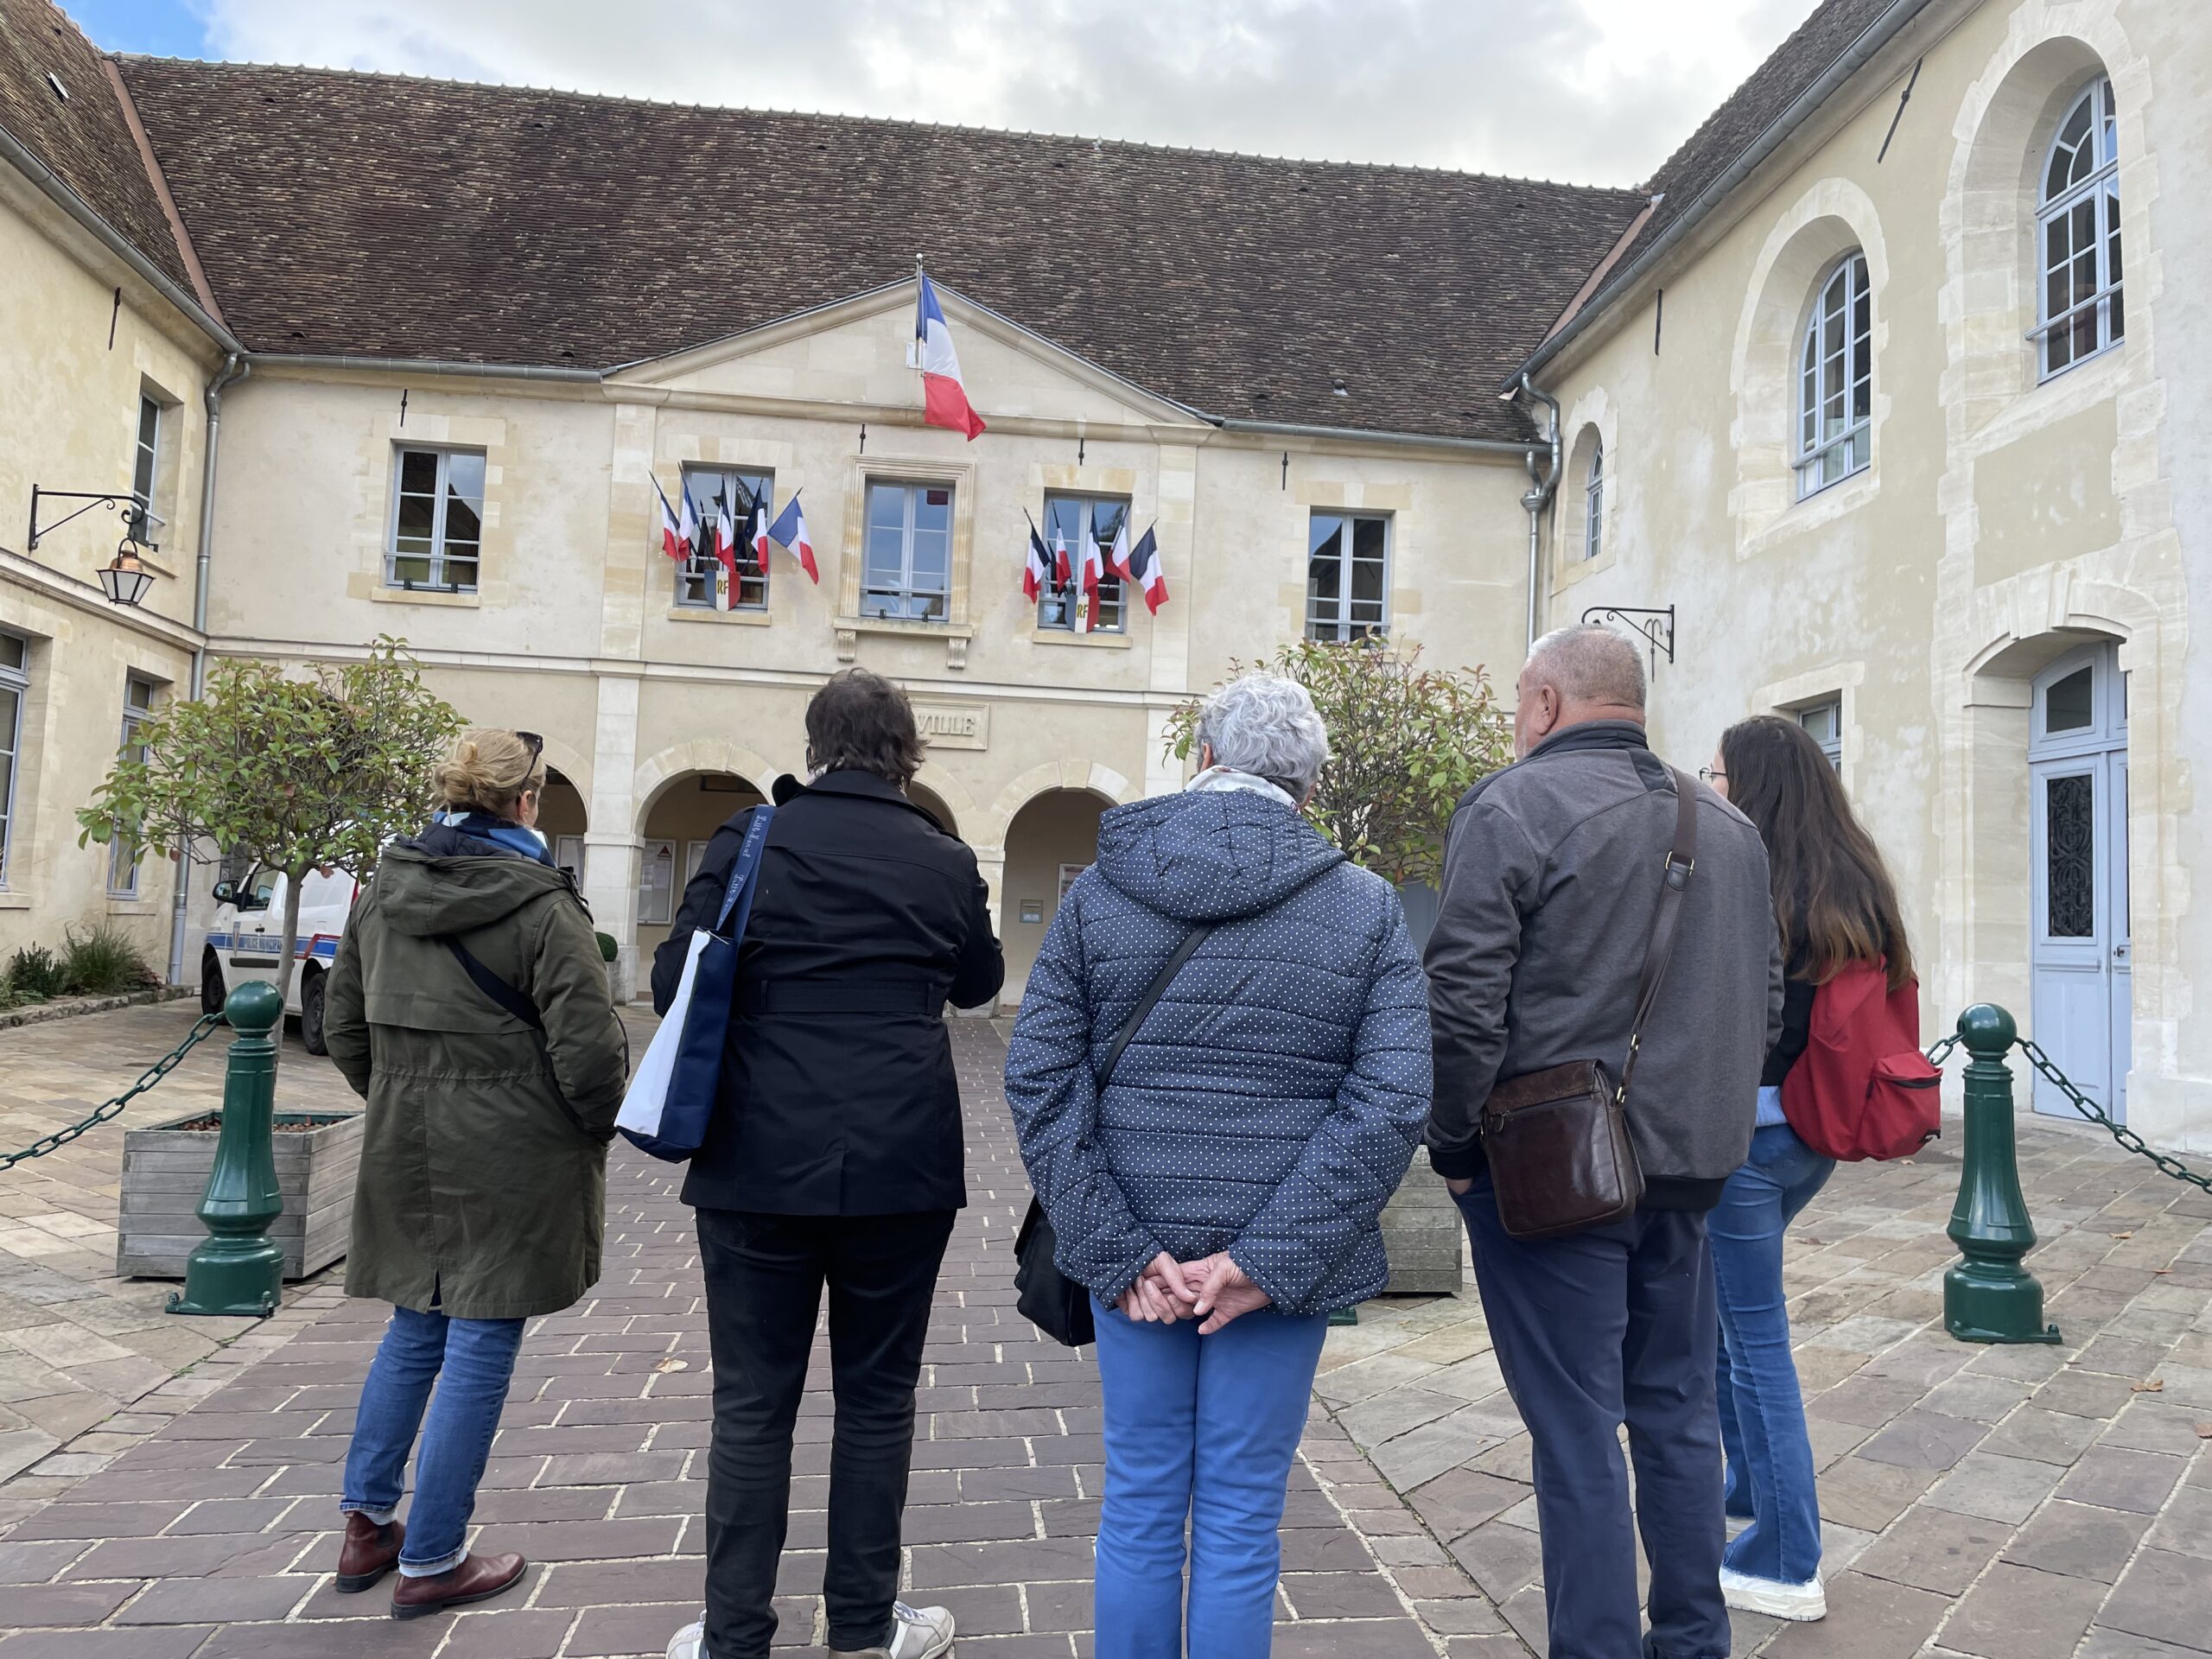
[1552, 884]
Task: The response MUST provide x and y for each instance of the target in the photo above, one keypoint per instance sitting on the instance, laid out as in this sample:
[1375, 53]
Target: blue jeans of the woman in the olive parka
[472, 1364]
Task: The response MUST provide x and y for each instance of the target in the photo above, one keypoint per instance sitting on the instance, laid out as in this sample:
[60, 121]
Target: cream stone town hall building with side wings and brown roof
[1806, 404]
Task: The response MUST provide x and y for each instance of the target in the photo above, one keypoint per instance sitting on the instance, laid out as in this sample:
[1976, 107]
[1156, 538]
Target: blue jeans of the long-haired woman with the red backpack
[1762, 1408]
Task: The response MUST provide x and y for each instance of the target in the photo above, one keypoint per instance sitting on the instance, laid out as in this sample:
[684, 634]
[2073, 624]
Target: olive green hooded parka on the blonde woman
[483, 1158]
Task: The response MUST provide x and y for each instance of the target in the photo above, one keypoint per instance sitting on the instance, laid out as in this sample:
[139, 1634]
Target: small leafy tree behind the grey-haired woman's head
[1406, 742]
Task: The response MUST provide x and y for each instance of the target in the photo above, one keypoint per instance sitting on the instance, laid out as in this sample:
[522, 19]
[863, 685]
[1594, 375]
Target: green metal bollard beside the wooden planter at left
[240, 1269]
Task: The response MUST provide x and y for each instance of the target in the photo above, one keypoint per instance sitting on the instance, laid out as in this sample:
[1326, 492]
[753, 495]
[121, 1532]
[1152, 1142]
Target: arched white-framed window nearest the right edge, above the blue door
[2078, 236]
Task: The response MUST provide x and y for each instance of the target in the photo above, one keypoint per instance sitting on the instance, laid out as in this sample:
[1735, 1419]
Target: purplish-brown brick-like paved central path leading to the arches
[216, 1536]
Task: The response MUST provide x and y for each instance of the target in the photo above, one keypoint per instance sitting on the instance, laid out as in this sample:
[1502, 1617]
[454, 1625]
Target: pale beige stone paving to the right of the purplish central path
[2007, 1503]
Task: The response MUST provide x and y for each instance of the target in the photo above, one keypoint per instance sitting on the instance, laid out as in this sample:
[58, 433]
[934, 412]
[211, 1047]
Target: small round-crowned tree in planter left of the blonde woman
[282, 773]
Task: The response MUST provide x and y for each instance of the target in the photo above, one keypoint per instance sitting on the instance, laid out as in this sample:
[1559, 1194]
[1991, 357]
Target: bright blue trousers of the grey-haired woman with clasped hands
[1202, 1428]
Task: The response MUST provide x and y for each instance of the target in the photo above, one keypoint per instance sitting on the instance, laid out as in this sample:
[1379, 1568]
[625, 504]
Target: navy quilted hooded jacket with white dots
[1271, 1103]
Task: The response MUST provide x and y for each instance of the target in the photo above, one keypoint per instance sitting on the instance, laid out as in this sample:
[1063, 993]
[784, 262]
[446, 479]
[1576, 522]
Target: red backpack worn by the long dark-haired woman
[1864, 1089]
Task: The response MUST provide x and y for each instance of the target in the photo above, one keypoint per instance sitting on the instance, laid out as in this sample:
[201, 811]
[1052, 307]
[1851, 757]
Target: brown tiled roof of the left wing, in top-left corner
[81, 138]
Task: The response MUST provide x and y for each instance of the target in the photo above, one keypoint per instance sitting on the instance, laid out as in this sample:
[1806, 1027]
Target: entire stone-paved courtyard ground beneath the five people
[2003, 1503]
